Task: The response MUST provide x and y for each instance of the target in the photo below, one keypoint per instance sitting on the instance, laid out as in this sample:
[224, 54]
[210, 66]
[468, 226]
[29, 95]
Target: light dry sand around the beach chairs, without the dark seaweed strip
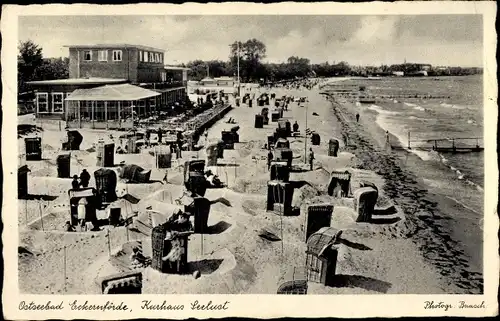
[232, 258]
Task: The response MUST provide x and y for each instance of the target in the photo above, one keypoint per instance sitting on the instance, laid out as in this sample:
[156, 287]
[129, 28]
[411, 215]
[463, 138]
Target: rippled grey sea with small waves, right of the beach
[457, 179]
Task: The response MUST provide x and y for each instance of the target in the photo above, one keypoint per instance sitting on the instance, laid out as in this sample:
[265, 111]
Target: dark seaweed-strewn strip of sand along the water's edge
[434, 235]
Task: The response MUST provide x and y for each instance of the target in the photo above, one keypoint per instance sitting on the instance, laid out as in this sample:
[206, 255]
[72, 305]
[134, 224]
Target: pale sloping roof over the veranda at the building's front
[119, 92]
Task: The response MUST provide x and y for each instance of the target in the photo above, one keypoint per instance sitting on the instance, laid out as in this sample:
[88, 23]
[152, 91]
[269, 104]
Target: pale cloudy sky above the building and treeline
[452, 40]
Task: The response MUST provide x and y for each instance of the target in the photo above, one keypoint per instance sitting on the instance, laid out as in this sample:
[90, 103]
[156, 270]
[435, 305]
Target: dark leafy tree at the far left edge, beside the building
[29, 59]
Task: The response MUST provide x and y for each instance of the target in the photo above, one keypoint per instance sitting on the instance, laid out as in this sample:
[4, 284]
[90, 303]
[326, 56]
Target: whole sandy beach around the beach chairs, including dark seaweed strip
[411, 254]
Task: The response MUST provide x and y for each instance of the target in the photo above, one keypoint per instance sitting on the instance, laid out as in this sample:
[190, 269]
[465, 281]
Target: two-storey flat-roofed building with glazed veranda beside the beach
[96, 69]
